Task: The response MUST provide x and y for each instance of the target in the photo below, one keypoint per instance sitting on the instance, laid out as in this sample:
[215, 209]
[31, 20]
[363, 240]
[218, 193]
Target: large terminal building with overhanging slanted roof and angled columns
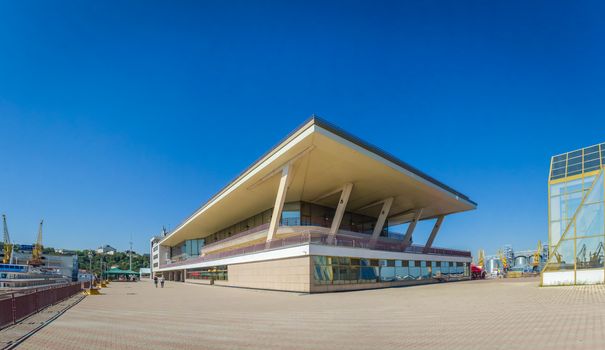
[317, 213]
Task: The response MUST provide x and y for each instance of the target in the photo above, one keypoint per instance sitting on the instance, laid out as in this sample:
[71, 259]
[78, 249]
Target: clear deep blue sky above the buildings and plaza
[119, 117]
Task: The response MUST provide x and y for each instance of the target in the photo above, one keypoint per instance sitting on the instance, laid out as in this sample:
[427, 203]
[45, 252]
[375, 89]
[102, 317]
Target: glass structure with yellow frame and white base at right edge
[576, 218]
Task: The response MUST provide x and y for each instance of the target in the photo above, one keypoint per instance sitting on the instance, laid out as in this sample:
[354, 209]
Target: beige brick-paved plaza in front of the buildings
[497, 314]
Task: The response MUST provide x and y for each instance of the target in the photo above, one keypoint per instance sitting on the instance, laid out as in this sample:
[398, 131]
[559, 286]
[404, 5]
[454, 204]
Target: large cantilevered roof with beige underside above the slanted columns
[324, 158]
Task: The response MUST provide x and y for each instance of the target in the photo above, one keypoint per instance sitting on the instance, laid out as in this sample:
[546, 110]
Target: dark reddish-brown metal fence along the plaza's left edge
[16, 306]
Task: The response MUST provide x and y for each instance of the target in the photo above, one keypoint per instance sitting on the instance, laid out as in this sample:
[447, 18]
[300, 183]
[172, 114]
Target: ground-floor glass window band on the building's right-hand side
[344, 270]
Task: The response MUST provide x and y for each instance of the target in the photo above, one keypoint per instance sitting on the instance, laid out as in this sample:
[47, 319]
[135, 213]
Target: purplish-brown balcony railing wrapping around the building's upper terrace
[320, 238]
